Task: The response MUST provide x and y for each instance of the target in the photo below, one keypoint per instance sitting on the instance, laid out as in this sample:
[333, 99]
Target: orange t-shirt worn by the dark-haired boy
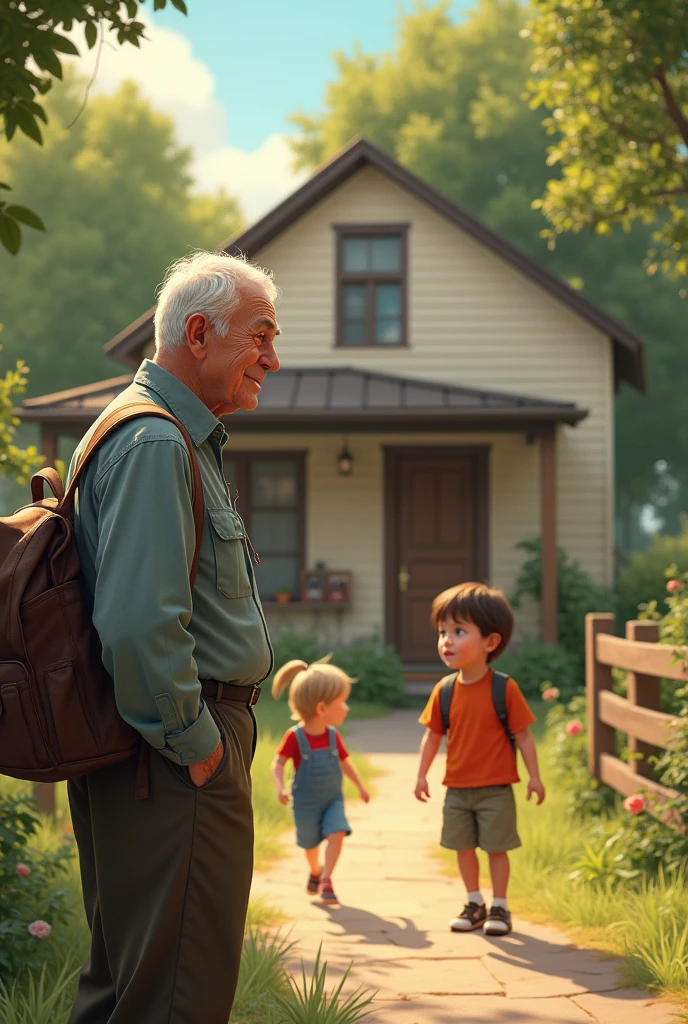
[478, 750]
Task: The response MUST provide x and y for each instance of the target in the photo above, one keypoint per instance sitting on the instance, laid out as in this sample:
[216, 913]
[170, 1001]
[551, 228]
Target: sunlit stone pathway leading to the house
[394, 921]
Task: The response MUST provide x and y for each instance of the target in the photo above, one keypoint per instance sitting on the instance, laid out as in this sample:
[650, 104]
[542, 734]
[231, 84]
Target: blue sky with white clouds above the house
[232, 73]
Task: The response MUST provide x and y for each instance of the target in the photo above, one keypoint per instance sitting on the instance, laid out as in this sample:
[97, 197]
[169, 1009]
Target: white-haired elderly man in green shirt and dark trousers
[166, 880]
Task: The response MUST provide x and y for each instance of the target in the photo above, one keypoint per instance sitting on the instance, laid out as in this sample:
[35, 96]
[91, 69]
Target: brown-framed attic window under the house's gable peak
[371, 286]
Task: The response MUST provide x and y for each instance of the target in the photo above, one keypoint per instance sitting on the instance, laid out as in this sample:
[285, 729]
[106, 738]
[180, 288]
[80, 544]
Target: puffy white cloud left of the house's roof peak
[180, 84]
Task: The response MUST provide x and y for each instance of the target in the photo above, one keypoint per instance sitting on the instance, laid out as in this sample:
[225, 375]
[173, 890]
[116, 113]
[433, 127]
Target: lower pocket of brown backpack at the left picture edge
[23, 745]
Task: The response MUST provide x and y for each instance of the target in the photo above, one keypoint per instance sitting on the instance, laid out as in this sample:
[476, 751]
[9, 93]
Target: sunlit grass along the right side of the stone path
[646, 924]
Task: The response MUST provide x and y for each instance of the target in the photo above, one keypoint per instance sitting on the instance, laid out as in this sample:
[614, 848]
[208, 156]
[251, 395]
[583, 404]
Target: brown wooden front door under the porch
[437, 530]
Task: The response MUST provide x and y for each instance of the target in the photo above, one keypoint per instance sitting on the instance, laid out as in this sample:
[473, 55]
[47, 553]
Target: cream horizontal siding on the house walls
[474, 321]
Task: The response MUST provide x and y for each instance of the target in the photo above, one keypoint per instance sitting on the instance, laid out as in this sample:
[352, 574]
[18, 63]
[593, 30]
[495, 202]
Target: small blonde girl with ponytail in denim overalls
[318, 700]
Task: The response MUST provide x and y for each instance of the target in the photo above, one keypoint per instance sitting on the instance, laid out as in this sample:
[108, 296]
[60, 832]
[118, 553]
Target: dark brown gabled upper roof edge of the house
[629, 363]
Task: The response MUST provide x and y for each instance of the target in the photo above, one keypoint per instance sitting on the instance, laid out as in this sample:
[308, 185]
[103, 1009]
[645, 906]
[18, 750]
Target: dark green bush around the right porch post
[578, 595]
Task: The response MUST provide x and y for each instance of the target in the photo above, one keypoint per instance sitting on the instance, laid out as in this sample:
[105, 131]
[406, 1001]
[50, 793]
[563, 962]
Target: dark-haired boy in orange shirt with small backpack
[475, 625]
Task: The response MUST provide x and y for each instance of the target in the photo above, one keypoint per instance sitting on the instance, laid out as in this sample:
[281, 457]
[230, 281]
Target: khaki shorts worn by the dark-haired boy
[485, 817]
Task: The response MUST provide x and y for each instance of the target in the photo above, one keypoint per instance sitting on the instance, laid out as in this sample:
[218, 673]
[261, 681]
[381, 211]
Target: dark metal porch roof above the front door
[339, 399]
